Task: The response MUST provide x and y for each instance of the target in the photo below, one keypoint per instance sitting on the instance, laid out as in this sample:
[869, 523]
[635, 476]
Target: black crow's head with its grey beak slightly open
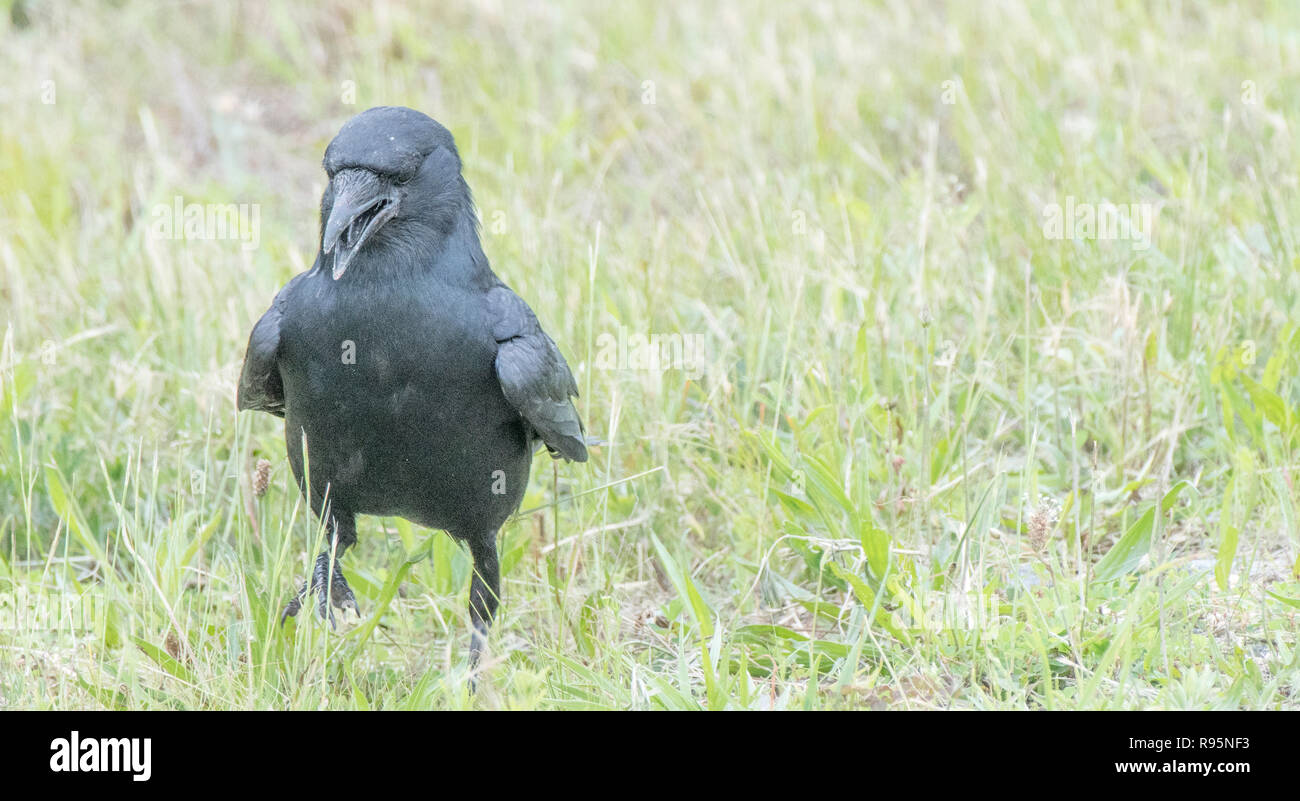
[393, 174]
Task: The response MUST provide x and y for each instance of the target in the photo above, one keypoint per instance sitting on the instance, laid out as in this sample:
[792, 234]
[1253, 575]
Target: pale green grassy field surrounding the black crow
[946, 357]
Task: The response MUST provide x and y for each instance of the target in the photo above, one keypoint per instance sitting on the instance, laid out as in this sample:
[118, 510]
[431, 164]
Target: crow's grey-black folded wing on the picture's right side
[535, 376]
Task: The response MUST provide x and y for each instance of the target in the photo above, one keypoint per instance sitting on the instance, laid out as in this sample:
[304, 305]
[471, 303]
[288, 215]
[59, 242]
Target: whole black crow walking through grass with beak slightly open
[411, 380]
